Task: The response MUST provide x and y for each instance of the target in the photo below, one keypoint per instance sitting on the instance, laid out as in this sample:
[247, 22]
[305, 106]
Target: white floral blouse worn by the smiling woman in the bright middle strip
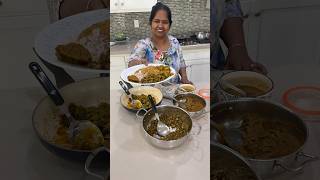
[173, 57]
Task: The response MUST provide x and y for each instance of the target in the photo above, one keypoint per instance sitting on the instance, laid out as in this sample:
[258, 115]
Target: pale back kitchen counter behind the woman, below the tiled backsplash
[126, 48]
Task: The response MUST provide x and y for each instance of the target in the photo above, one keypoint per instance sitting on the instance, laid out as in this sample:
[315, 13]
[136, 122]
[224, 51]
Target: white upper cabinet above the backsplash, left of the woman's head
[123, 6]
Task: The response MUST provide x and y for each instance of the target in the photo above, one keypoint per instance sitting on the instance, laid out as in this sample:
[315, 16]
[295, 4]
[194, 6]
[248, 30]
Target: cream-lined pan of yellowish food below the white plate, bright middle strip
[141, 93]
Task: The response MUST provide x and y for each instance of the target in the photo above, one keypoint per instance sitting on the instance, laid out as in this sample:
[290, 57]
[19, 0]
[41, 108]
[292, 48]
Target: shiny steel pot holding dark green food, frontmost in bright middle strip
[146, 116]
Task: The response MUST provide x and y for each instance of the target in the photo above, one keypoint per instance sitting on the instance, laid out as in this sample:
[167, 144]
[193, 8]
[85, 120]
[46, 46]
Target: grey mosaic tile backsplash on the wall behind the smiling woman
[188, 16]
